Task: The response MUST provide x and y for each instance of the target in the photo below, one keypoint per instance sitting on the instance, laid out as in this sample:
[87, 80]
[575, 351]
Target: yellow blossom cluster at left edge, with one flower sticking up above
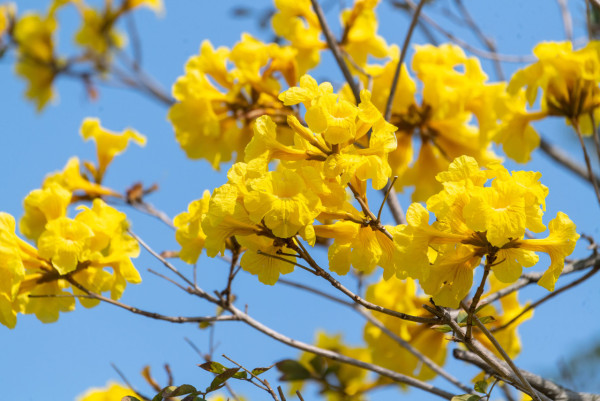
[91, 251]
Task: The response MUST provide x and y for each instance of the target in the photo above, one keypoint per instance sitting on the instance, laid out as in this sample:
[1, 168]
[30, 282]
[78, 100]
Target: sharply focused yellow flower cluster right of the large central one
[475, 221]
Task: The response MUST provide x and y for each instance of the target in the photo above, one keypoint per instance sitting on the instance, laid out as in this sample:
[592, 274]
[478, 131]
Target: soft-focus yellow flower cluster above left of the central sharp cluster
[222, 93]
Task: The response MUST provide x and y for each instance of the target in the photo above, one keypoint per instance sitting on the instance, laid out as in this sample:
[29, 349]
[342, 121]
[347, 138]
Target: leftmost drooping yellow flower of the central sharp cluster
[189, 233]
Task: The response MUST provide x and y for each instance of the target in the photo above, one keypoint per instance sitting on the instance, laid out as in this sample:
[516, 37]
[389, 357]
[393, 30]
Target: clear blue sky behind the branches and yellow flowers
[61, 360]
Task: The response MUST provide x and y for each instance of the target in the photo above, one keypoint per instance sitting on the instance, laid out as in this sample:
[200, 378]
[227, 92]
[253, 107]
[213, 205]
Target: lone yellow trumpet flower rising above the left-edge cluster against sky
[108, 144]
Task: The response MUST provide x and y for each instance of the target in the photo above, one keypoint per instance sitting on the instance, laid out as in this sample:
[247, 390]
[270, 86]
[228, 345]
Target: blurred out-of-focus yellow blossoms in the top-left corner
[34, 37]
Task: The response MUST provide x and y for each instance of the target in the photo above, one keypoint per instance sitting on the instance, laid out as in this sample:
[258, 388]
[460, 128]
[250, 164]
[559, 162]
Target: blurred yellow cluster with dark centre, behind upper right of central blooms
[454, 93]
